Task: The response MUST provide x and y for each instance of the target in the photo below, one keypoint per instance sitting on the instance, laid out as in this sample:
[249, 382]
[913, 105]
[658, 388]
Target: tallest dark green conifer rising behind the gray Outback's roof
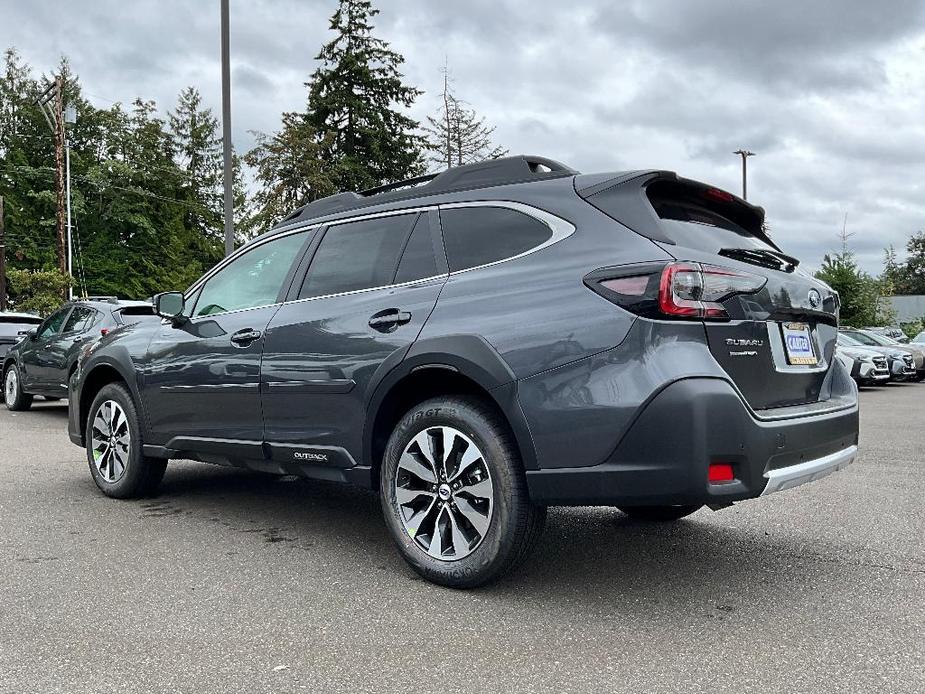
[356, 97]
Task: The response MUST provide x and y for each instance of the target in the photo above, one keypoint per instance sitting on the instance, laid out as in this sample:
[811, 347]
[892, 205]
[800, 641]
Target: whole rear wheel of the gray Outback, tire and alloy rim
[454, 494]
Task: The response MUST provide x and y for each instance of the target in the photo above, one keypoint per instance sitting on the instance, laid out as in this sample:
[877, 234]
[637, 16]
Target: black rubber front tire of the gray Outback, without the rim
[140, 474]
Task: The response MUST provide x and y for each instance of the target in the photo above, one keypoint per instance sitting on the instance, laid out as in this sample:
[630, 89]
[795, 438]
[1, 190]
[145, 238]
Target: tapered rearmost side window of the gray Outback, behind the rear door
[476, 236]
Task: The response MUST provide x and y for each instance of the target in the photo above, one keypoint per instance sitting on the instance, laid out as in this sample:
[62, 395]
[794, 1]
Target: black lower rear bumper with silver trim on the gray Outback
[665, 455]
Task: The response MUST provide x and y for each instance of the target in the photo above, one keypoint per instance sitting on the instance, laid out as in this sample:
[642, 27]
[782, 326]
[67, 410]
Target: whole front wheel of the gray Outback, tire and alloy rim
[114, 446]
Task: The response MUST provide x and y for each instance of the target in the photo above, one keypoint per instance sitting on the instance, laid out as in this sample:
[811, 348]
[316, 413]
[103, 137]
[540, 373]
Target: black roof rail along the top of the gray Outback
[483, 174]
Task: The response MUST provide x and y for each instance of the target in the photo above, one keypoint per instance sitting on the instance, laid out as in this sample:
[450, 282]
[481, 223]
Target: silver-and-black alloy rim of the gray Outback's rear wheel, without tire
[444, 493]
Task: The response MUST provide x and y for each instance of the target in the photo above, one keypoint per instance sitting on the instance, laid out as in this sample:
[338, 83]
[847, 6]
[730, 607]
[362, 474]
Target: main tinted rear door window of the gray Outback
[357, 255]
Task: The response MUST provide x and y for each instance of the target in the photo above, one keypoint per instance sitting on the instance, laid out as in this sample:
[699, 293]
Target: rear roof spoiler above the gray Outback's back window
[629, 193]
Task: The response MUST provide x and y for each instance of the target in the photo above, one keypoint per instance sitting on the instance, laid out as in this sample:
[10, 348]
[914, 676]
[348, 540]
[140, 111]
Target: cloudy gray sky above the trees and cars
[829, 93]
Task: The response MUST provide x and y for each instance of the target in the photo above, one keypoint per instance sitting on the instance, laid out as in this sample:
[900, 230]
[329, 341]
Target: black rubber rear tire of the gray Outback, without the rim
[515, 523]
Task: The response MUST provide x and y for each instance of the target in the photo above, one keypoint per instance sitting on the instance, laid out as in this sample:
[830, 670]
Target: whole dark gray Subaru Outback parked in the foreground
[481, 344]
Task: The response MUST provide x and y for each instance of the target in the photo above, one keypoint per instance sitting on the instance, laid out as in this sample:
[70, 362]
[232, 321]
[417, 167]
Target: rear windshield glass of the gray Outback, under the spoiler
[705, 218]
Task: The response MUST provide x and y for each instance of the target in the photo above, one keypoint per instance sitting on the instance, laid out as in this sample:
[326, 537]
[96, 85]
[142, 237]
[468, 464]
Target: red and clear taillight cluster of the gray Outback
[675, 290]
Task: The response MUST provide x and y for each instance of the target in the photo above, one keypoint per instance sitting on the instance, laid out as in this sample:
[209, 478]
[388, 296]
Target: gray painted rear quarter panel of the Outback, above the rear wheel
[535, 311]
